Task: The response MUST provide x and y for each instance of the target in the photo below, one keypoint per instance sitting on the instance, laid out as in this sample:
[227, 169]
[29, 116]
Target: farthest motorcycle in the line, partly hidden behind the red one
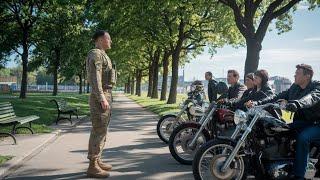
[192, 107]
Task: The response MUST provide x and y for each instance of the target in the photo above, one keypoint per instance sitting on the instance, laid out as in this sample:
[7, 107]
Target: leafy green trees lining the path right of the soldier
[162, 36]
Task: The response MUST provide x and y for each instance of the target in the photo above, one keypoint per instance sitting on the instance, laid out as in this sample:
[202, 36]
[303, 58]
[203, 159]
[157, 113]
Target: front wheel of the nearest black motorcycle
[210, 159]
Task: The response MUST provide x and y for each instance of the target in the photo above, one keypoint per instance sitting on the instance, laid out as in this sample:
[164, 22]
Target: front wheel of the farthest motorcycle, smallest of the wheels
[166, 126]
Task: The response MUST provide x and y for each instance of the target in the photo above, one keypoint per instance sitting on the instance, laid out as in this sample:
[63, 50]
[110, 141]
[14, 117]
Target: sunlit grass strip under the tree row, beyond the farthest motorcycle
[157, 106]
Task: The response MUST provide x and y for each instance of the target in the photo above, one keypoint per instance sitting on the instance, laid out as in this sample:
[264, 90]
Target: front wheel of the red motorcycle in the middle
[180, 140]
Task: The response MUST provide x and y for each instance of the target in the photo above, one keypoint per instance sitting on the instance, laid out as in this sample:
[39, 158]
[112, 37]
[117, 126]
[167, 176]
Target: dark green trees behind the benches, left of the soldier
[50, 34]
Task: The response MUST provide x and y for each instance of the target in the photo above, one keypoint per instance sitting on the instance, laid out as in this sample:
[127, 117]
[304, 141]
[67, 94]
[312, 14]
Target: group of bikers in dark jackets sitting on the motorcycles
[302, 98]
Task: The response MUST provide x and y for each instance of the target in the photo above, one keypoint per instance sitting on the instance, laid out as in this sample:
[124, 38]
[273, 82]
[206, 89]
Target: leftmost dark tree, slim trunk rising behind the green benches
[21, 18]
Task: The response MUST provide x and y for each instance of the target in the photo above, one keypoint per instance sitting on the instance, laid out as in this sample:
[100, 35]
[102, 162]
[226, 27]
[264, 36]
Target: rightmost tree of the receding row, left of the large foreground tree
[191, 25]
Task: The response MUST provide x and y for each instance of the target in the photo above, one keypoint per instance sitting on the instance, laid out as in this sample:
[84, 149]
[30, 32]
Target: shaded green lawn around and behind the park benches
[39, 104]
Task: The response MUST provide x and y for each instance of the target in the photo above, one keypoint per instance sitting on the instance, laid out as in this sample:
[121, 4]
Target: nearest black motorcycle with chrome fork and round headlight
[261, 144]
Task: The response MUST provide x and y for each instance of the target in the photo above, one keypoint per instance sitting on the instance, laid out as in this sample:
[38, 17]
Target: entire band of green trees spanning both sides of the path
[150, 37]
